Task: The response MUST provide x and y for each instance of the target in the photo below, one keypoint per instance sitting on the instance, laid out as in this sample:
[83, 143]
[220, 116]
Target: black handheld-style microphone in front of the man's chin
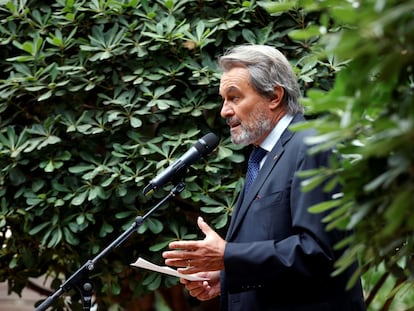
[203, 146]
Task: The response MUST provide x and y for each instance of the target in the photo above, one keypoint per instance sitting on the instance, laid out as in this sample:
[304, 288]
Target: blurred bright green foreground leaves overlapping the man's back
[369, 116]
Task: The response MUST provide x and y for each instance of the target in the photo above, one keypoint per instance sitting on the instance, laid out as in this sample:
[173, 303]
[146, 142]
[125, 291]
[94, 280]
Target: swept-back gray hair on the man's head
[268, 68]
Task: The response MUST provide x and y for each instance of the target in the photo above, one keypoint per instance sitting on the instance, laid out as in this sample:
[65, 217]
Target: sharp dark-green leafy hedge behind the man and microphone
[96, 98]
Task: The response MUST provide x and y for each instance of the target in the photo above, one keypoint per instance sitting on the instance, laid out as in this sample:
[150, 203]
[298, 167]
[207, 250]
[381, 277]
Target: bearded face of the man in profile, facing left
[246, 112]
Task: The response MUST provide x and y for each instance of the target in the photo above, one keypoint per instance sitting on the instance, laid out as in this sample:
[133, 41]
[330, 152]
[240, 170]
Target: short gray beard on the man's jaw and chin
[253, 130]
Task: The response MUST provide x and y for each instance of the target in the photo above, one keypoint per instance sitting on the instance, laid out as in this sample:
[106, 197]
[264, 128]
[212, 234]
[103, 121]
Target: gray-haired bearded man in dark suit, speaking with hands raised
[276, 255]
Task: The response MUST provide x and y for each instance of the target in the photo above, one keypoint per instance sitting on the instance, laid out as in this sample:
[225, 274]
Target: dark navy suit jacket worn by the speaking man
[278, 255]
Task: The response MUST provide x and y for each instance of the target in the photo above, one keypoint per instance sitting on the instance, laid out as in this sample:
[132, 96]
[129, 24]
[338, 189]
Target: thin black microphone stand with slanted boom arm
[81, 279]
